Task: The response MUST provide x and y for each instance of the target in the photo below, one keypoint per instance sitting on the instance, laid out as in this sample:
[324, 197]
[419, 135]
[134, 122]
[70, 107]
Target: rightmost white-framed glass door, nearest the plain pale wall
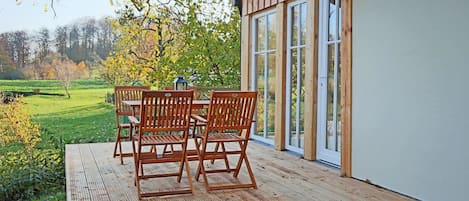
[329, 119]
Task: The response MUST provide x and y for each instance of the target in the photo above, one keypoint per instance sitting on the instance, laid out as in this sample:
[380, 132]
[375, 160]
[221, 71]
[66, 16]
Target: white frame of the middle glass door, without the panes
[288, 75]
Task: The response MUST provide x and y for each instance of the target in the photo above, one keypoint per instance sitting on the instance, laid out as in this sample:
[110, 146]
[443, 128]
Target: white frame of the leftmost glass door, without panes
[254, 72]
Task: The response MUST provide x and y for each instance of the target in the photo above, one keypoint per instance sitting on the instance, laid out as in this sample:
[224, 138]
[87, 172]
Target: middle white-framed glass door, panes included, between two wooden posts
[295, 74]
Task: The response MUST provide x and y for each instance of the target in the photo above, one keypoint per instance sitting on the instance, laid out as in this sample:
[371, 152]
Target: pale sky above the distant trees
[30, 14]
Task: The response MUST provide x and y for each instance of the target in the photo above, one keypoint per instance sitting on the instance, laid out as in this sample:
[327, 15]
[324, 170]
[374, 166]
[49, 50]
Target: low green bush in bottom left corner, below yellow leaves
[24, 176]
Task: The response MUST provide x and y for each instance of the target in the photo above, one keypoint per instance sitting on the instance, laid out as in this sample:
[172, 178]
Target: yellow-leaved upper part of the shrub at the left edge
[16, 125]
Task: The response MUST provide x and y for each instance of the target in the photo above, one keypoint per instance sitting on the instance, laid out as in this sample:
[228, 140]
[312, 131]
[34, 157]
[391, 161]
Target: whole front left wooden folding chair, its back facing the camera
[164, 120]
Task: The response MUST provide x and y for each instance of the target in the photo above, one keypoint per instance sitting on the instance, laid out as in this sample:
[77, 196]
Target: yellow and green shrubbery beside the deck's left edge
[27, 171]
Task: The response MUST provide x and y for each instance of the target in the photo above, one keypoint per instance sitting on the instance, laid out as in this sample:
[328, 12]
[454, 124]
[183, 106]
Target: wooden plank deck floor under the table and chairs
[93, 174]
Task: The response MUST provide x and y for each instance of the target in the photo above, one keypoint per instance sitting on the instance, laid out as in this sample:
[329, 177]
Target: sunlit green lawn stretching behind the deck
[83, 118]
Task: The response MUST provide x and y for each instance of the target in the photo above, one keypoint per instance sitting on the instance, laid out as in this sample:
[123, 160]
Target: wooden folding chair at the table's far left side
[122, 93]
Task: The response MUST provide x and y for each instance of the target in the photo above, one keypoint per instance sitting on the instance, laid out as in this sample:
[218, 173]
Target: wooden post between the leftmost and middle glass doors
[280, 81]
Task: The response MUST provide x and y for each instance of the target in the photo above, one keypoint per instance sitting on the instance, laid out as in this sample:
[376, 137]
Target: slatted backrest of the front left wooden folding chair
[165, 110]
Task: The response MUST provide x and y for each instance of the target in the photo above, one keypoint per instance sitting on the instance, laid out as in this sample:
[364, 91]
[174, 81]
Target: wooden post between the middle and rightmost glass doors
[311, 79]
